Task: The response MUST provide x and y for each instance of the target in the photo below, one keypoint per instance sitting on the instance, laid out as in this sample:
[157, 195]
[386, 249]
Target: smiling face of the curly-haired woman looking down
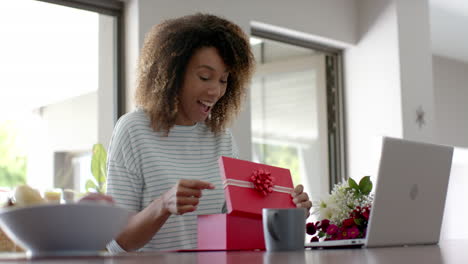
[205, 82]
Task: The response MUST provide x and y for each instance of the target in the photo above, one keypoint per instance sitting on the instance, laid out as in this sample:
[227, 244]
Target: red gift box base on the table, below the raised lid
[229, 232]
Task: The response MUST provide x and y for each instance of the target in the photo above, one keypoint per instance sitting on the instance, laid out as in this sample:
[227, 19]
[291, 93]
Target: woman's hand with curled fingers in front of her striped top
[184, 196]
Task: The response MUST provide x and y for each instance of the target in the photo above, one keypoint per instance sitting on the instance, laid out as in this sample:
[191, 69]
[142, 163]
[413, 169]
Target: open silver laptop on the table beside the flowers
[409, 196]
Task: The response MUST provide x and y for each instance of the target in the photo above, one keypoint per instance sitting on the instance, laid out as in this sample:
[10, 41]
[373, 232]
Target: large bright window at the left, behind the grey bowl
[60, 89]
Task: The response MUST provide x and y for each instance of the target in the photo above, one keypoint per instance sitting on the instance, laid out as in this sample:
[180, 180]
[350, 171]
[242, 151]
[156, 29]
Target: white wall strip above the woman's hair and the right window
[313, 17]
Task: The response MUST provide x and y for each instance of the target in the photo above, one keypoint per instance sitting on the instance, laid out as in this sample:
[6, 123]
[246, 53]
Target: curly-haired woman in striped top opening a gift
[193, 74]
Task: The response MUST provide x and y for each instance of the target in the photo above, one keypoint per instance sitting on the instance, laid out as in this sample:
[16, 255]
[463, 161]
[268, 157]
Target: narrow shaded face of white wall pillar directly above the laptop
[415, 57]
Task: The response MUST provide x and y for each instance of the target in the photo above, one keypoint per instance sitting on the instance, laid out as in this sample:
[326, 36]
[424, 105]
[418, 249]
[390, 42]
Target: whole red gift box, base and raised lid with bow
[249, 187]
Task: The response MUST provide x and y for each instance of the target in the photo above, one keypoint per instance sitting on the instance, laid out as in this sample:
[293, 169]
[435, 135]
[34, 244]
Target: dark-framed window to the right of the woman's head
[296, 111]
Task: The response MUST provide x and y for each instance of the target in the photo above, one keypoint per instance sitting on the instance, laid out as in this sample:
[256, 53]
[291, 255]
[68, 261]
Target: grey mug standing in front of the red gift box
[284, 229]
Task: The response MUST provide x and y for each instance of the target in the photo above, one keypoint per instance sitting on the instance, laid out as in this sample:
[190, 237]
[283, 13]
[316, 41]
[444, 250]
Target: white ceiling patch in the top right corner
[449, 28]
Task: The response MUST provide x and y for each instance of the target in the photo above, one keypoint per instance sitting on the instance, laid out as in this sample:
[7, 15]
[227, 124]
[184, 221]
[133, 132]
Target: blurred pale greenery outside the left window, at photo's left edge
[13, 160]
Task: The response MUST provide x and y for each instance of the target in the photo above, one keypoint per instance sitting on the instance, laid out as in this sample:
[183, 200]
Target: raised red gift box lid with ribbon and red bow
[242, 198]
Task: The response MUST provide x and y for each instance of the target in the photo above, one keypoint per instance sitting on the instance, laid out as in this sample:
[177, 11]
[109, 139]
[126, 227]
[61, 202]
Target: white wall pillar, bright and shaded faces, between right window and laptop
[388, 76]
